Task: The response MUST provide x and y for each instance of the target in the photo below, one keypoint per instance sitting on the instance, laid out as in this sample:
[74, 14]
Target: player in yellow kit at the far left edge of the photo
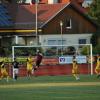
[4, 73]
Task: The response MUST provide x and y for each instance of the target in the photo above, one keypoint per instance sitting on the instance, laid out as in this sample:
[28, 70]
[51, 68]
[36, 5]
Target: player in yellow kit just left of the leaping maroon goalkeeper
[29, 65]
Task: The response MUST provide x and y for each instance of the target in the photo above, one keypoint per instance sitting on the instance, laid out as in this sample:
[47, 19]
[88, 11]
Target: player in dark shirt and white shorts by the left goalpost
[15, 65]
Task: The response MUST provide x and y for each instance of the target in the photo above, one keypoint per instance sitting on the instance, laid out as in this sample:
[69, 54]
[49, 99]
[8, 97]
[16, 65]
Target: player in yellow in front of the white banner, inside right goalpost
[75, 70]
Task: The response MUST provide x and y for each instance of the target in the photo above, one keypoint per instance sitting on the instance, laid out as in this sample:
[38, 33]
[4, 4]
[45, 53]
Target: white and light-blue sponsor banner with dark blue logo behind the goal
[68, 59]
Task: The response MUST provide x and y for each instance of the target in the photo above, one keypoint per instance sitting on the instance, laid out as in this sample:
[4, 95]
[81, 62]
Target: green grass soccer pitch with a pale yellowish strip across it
[51, 88]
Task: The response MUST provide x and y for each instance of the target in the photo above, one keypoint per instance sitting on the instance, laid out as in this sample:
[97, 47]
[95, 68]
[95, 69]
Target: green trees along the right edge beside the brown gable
[94, 14]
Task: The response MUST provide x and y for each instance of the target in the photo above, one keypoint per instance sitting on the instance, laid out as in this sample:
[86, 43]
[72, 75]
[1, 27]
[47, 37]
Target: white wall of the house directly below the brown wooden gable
[70, 39]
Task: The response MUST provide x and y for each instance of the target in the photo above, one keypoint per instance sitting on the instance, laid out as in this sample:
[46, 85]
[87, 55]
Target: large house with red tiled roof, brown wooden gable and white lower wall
[76, 26]
